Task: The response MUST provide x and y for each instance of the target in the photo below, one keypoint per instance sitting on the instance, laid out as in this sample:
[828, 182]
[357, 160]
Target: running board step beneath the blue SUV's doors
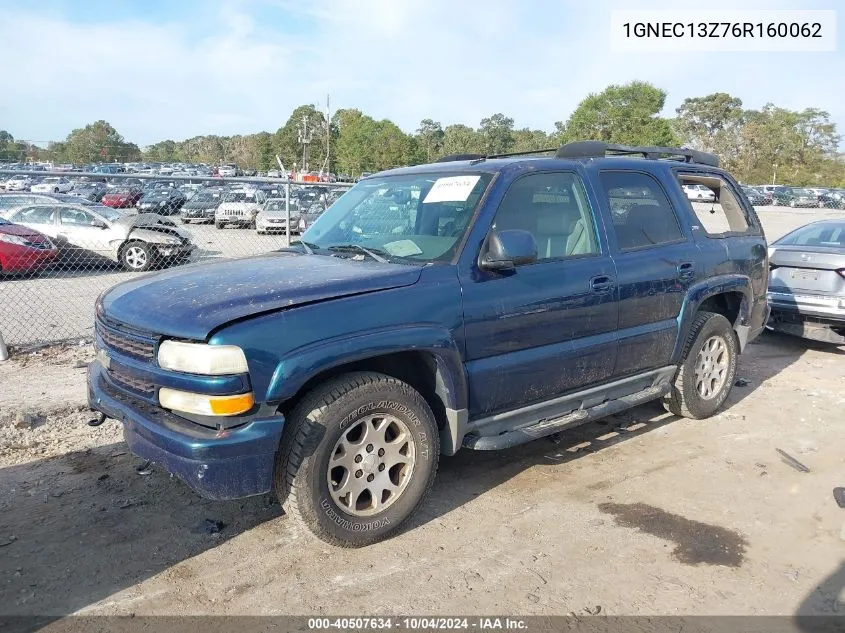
[661, 384]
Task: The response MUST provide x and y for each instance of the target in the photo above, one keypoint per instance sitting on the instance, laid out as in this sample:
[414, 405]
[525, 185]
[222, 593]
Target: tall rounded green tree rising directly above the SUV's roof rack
[627, 114]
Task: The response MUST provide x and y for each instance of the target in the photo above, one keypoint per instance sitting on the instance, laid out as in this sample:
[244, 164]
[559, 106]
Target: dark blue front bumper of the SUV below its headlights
[217, 464]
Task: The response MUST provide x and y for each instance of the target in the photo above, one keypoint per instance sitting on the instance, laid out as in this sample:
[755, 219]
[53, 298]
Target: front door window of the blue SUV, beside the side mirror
[554, 208]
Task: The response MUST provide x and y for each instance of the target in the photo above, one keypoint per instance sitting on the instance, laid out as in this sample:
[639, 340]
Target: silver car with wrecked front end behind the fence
[86, 234]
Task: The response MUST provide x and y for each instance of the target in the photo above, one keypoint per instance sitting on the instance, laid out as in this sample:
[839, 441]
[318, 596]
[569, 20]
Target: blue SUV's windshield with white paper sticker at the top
[420, 217]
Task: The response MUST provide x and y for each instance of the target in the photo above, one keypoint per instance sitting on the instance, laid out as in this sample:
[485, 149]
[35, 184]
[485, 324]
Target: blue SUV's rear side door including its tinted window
[655, 263]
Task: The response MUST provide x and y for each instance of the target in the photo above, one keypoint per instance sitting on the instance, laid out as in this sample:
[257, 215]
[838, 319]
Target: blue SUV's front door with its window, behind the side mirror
[548, 327]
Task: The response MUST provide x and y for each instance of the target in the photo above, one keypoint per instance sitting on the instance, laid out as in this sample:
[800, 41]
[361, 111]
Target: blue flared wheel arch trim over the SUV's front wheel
[304, 363]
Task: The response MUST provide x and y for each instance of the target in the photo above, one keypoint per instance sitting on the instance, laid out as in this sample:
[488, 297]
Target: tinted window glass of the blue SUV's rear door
[642, 215]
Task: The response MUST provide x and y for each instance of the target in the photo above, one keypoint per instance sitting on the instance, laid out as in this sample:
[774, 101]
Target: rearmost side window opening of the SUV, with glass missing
[714, 203]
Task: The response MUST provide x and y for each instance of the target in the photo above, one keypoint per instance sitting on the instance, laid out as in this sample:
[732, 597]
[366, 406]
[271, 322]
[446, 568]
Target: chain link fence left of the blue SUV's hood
[67, 237]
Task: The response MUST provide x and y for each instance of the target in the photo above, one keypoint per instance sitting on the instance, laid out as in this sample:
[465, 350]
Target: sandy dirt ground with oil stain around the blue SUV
[641, 513]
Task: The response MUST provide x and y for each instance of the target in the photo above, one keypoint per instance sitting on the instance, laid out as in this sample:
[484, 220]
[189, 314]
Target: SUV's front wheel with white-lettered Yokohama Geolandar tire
[358, 457]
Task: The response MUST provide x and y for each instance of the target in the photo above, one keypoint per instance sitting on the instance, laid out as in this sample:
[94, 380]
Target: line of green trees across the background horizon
[796, 147]
